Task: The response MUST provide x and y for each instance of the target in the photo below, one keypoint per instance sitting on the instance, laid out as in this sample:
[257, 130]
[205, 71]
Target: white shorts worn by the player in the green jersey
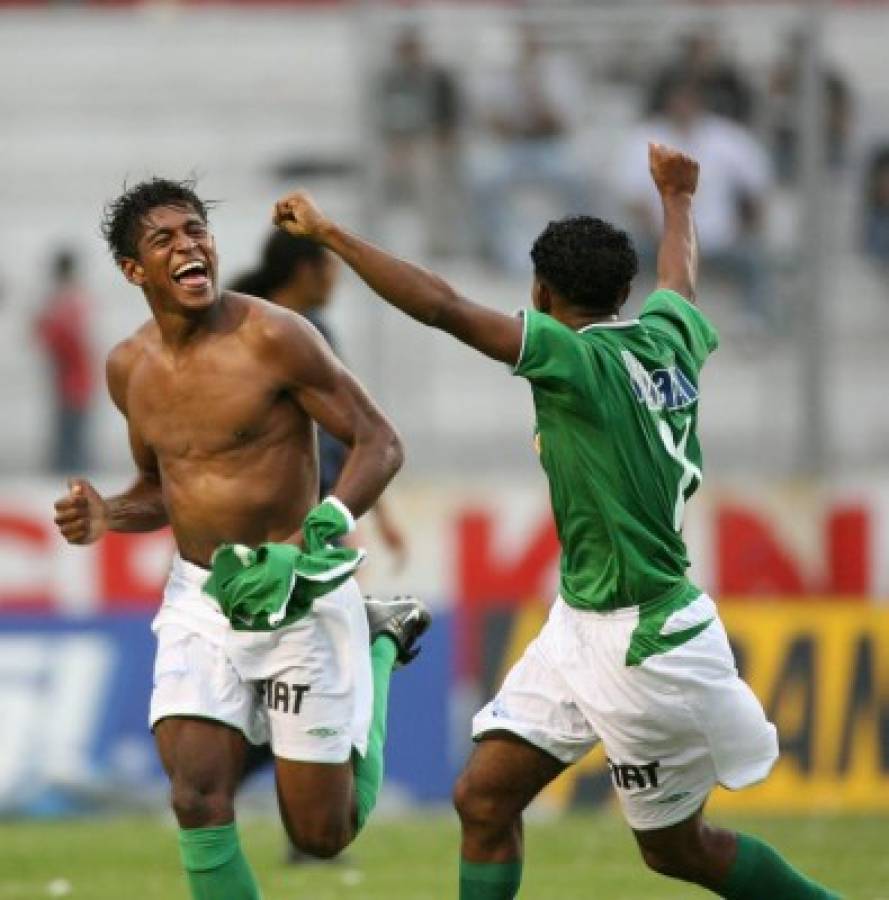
[673, 726]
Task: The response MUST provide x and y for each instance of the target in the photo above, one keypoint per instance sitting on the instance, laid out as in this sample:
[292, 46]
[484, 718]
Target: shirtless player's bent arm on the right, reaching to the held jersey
[332, 396]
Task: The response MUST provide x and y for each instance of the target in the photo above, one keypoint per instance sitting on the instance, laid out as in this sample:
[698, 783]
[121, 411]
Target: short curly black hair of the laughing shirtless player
[122, 218]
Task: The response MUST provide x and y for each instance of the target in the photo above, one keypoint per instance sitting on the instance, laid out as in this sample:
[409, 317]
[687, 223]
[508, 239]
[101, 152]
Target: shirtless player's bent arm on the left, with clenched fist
[83, 515]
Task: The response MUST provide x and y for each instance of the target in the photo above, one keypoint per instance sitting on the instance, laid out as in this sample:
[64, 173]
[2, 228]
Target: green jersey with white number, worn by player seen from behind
[617, 408]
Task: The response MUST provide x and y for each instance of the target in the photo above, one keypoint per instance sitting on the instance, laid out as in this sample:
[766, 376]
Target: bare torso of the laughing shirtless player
[236, 454]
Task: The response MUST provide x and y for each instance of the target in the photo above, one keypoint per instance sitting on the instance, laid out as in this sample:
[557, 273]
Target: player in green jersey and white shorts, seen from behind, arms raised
[633, 655]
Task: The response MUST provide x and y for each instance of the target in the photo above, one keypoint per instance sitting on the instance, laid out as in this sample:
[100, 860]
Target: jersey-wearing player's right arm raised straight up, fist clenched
[676, 178]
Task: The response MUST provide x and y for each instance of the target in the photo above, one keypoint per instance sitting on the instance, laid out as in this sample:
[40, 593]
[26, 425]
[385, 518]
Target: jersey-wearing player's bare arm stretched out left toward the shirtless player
[421, 294]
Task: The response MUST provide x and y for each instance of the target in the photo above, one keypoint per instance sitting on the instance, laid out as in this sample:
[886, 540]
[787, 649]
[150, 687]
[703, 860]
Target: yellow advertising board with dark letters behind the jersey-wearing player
[821, 669]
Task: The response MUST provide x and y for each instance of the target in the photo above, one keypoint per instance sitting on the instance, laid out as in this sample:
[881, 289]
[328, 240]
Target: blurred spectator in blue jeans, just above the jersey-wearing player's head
[531, 111]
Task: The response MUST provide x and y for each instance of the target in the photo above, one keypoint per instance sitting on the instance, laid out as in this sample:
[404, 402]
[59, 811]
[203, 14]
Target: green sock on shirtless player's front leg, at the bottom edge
[215, 865]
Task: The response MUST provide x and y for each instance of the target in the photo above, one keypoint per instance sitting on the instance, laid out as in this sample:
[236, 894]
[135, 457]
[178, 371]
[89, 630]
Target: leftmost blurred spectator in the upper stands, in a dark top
[419, 112]
